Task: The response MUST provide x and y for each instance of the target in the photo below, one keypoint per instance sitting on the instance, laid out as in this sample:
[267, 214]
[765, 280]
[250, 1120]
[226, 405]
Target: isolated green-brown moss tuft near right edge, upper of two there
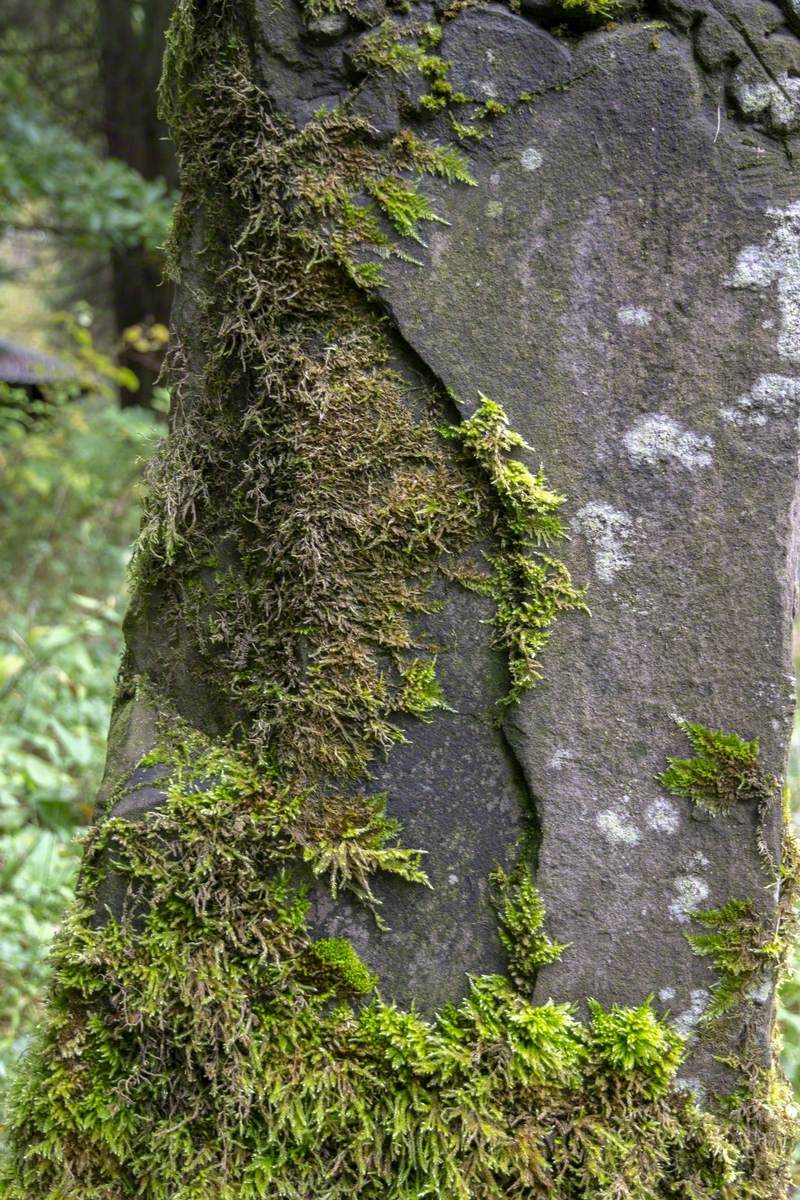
[725, 770]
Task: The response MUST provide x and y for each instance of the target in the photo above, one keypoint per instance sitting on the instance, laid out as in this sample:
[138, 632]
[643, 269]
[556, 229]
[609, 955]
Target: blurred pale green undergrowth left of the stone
[71, 471]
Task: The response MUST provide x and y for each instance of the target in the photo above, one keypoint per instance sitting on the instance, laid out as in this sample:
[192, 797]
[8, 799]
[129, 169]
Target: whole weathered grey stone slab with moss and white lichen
[412, 877]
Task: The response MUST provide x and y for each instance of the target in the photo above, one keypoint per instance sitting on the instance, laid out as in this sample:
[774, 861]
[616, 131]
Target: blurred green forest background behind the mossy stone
[87, 187]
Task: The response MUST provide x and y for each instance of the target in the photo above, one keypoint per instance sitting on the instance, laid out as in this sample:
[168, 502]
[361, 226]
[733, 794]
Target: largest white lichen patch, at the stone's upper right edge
[778, 262]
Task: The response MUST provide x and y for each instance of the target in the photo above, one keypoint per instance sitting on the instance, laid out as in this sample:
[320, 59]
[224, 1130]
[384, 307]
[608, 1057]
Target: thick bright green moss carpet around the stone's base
[203, 1045]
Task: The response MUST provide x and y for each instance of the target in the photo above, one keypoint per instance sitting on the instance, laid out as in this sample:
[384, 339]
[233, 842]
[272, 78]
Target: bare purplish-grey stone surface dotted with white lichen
[624, 279]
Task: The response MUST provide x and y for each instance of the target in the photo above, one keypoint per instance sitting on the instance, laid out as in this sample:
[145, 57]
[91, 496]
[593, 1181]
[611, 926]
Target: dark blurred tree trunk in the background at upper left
[130, 69]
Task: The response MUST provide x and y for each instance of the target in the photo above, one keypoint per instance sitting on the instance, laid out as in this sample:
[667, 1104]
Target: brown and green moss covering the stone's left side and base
[201, 1042]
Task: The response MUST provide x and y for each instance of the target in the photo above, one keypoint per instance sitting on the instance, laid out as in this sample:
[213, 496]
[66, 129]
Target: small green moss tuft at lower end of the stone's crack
[521, 919]
